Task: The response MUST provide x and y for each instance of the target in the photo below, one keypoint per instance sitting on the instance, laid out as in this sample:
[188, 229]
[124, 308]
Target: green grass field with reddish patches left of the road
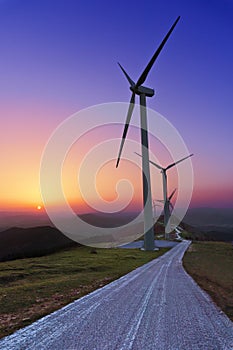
[33, 287]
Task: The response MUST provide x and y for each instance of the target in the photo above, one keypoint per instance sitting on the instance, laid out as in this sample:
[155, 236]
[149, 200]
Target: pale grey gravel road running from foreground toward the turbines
[157, 306]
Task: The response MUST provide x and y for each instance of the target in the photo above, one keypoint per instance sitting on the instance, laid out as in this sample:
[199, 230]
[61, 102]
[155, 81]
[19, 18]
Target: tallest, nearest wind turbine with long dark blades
[143, 92]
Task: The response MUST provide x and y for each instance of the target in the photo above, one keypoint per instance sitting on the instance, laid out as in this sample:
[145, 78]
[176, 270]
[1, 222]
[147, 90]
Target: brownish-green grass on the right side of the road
[211, 265]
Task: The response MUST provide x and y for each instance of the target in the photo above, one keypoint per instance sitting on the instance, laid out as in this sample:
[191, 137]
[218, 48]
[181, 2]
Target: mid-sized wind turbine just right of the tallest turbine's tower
[167, 213]
